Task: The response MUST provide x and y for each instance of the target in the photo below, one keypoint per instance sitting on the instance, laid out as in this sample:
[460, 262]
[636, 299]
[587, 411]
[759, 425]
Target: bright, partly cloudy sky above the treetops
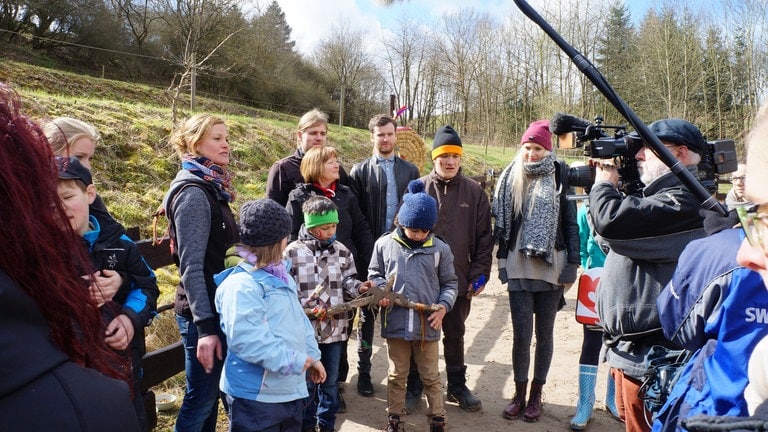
[310, 20]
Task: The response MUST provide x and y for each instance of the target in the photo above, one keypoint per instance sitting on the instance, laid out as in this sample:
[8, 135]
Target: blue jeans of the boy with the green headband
[324, 398]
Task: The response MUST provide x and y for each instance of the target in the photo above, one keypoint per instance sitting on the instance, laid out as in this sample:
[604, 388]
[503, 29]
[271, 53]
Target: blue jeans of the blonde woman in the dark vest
[200, 406]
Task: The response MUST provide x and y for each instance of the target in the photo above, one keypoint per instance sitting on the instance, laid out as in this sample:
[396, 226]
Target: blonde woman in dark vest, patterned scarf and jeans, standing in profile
[202, 227]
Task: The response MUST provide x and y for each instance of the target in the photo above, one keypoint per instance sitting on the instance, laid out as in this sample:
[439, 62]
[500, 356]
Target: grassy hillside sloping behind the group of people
[135, 164]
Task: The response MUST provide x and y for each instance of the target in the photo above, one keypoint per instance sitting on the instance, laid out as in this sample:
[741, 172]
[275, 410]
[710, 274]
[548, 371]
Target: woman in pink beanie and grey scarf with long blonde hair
[538, 257]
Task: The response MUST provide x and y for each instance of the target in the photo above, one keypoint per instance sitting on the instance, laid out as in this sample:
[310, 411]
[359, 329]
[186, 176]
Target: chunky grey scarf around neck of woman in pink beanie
[537, 236]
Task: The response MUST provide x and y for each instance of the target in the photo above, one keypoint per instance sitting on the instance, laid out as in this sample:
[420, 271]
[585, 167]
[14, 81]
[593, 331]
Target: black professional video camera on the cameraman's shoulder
[719, 156]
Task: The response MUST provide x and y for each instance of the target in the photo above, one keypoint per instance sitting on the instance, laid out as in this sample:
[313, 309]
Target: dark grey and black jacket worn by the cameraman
[646, 236]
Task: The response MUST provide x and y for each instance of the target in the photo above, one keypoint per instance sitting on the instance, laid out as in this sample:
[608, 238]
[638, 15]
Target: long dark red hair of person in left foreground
[41, 252]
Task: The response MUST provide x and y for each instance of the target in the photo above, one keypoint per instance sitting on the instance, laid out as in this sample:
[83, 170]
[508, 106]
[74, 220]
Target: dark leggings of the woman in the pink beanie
[523, 305]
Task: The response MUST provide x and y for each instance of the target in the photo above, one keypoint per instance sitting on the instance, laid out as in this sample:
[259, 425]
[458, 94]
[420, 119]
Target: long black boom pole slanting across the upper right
[594, 75]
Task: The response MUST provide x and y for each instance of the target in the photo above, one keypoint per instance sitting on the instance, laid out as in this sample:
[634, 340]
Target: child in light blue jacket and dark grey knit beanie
[270, 341]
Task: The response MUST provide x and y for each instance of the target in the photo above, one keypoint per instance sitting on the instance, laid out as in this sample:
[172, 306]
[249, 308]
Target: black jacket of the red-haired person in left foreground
[40, 389]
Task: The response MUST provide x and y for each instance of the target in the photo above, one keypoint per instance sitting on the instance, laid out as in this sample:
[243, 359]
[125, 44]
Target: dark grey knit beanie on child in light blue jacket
[263, 222]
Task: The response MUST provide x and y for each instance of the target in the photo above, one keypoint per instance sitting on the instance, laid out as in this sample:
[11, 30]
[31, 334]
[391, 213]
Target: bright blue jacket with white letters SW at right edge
[720, 309]
